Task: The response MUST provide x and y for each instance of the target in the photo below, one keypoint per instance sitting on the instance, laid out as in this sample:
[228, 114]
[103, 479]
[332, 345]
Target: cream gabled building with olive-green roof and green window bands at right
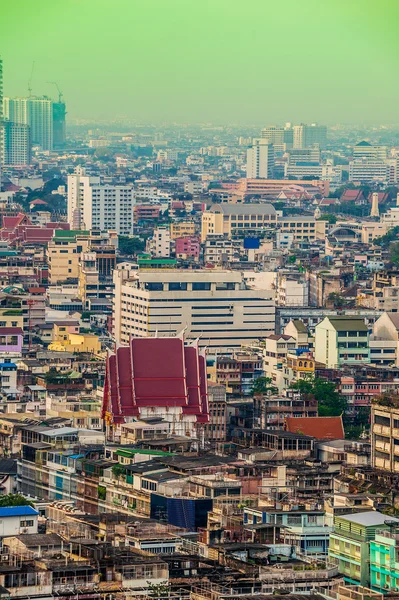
[342, 340]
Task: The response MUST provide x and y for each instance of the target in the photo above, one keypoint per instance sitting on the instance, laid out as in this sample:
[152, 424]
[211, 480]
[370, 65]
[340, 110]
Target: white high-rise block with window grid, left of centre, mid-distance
[95, 206]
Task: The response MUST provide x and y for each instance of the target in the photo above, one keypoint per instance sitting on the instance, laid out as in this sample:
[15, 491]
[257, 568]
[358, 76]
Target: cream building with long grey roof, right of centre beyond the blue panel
[231, 219]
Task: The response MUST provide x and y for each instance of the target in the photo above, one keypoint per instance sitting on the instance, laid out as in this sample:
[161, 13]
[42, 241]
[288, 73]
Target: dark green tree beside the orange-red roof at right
[330, 402]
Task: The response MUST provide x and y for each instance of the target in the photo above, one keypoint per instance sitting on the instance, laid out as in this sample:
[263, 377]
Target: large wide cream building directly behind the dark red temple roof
[214, 306]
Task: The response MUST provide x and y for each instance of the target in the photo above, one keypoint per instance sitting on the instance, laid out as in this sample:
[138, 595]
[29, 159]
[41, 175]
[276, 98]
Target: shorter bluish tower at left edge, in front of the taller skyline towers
[16, 144]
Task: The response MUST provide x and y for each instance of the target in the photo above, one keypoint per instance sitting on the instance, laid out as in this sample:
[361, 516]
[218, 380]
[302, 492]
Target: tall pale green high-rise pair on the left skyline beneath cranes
[35, 112]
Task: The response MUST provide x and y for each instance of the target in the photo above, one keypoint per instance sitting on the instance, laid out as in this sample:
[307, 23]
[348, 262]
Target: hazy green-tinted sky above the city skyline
[243, 61]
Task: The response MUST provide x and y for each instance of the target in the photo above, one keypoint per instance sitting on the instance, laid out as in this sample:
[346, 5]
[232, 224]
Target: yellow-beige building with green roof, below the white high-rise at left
[63, 254]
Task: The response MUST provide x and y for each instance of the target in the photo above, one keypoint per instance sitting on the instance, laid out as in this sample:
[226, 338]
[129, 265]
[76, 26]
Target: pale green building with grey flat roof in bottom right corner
[350, 543]
